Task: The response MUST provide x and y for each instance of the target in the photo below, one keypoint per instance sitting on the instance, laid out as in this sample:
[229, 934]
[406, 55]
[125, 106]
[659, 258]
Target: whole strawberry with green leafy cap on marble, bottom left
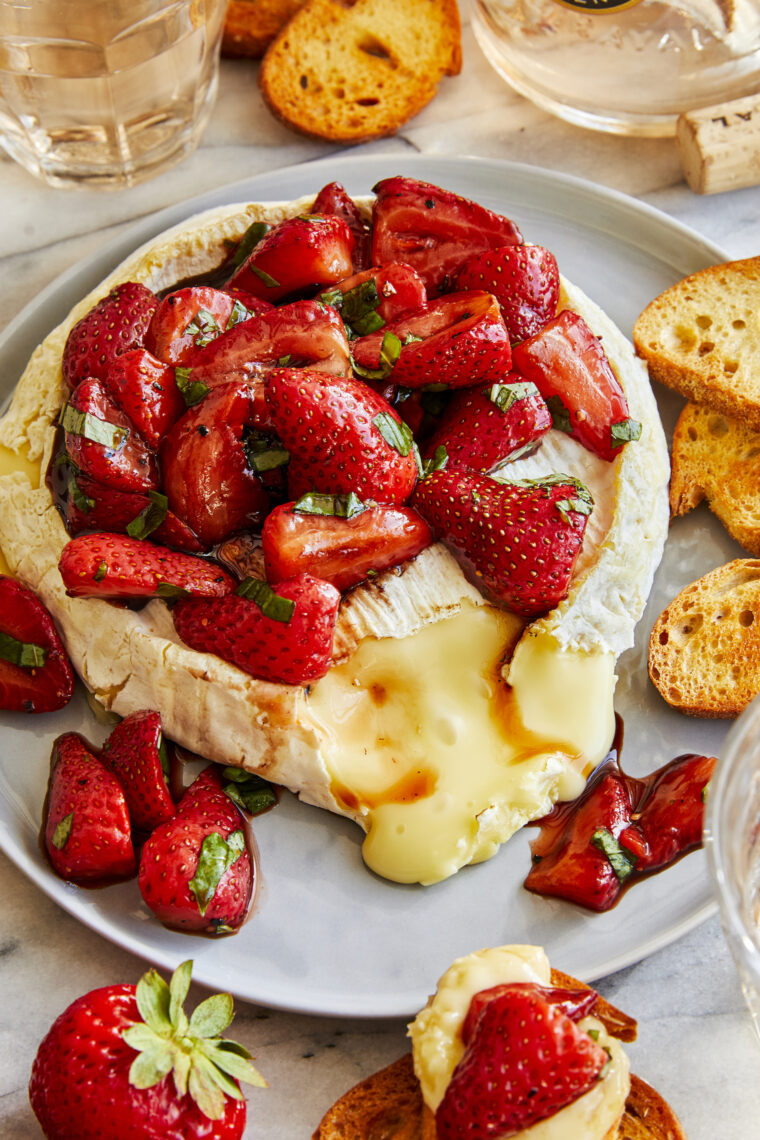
[125, 1061]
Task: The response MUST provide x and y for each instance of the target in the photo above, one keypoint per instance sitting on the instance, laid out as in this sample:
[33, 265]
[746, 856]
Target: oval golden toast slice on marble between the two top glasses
[355, 72]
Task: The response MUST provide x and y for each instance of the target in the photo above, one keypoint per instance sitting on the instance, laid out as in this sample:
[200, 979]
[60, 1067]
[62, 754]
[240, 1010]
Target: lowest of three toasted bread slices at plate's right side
[705, 649]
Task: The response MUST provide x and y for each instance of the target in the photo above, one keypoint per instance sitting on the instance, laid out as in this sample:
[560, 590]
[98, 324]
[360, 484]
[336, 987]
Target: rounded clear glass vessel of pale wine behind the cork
[625, 67]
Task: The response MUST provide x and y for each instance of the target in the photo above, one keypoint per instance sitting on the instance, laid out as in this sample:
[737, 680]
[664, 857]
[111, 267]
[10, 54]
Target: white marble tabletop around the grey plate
[696, 1041]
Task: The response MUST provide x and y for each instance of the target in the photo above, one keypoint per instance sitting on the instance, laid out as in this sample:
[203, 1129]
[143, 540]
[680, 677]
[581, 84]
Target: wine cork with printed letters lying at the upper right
[720, 148]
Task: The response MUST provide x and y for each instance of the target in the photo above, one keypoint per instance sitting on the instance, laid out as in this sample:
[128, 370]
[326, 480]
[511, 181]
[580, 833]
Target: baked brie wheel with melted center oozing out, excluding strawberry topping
[445, 723]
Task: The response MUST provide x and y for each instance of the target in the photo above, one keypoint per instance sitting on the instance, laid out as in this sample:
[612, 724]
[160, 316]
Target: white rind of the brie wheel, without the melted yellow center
[135, 659]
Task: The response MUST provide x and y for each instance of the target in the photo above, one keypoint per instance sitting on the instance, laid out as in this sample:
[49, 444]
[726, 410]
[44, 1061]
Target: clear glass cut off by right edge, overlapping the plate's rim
[732, 835]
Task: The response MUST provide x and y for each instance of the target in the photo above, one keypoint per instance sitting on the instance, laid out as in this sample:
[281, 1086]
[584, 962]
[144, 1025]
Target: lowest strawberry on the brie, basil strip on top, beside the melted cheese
[283, 637]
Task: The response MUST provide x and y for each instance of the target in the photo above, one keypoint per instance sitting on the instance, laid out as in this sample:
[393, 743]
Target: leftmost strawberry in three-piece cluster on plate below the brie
[87, 827]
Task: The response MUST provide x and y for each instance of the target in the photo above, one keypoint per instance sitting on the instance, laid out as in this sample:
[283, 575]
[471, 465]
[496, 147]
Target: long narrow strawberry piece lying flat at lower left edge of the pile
[116, 566]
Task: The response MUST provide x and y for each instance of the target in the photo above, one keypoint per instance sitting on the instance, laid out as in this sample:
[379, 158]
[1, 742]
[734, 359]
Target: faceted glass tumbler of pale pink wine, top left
[107, 93]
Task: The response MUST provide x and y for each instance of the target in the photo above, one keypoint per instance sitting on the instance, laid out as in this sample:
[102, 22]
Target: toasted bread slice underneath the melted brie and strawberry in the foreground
[389, 1105]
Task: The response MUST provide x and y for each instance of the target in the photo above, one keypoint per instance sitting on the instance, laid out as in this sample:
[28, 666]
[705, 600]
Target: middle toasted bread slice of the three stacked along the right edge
[718, 459]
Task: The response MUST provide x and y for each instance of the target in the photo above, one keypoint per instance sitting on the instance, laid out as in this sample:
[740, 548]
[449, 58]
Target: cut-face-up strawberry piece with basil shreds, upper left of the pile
[190, 319]
